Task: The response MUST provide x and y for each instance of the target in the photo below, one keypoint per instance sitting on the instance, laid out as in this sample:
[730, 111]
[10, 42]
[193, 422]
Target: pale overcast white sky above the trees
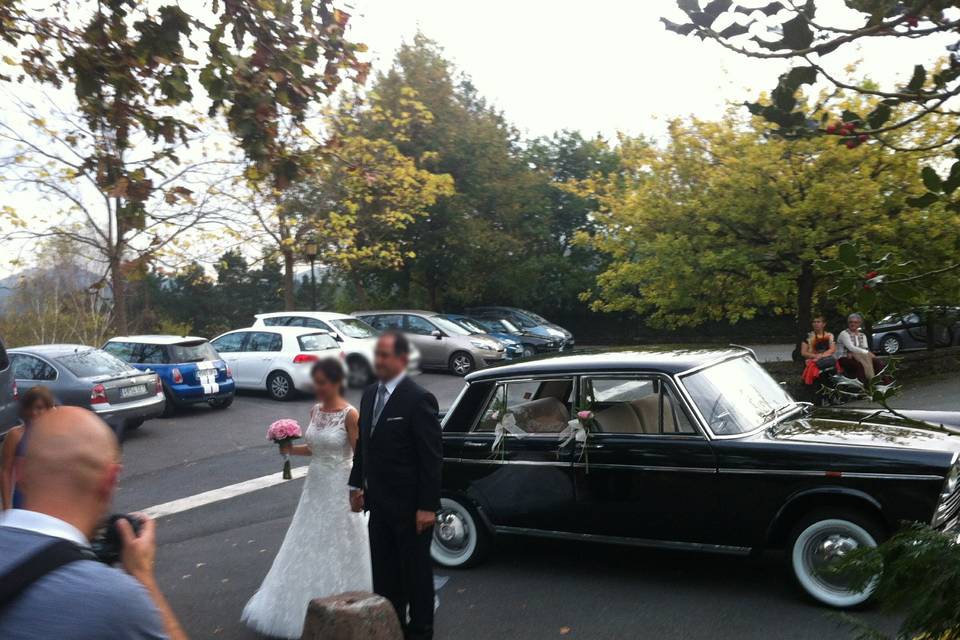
[604, 66]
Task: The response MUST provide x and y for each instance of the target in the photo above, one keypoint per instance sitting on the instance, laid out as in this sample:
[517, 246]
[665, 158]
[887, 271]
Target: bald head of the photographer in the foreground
[70, 467]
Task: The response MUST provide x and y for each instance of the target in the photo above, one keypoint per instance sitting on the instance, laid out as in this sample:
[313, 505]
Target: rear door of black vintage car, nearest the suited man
[520, 480]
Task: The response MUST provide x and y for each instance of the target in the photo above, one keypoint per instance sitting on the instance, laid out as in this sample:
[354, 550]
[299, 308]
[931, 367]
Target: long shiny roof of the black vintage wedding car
[668, 360]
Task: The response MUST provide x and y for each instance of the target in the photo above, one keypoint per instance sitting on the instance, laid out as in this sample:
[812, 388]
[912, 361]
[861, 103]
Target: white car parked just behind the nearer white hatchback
[356, 337]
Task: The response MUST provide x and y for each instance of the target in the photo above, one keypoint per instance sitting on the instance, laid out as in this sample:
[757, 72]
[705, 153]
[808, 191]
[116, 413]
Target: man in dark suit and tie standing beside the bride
[396, 477]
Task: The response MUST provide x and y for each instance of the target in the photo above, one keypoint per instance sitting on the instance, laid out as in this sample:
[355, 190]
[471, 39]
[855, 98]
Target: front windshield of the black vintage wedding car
[737, 396]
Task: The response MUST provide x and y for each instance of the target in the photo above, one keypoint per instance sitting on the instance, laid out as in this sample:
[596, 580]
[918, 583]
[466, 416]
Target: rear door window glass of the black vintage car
[531, 406]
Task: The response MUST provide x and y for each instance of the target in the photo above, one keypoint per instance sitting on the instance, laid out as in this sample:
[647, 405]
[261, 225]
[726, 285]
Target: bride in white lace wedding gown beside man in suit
[325, 551]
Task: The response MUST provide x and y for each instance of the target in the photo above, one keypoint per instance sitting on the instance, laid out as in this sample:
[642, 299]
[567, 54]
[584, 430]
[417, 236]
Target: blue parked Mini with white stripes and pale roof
[190, 369]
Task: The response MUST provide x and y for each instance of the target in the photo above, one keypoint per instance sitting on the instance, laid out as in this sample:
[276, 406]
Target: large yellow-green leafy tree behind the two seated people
[723, 222]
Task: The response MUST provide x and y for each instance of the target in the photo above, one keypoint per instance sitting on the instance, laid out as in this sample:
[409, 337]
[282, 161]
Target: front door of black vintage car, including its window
[645, 470]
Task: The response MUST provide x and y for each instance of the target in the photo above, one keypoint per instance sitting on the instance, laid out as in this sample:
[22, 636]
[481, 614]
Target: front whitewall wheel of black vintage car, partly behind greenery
[818, 541]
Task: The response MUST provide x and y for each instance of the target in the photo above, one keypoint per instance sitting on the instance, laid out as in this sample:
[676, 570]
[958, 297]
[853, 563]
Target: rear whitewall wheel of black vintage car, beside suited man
[459, 538]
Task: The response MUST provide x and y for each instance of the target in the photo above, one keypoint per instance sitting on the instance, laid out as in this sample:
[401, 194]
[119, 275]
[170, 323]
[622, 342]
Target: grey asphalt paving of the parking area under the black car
[212, 558]
